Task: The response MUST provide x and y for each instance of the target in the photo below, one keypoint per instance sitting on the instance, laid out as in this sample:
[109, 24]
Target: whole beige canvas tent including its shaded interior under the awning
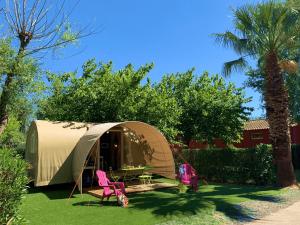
[59, 152]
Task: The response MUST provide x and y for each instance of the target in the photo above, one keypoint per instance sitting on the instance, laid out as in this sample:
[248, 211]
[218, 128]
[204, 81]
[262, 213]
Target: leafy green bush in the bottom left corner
[13, 180]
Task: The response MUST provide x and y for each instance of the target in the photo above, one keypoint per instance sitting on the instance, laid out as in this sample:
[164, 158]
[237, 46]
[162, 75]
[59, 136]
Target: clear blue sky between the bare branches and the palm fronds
[175, 35]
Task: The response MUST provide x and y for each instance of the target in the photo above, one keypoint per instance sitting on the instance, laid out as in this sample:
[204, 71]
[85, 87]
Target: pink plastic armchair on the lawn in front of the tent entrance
[109, 188]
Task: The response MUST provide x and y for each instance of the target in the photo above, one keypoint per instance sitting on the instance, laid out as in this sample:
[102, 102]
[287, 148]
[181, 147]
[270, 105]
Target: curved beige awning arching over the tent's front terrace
[160, 158]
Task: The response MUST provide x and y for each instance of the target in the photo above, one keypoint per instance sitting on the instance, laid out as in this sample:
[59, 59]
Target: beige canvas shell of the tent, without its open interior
[58, 150]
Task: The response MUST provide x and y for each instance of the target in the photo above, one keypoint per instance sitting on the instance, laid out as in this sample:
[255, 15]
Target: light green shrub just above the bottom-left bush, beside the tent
[12, 137]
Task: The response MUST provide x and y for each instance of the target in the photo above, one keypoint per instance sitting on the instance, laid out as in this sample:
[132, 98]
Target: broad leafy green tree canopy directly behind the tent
[199, 107]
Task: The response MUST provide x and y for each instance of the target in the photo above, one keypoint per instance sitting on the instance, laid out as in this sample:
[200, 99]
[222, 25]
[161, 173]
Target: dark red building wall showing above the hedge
[251, 138]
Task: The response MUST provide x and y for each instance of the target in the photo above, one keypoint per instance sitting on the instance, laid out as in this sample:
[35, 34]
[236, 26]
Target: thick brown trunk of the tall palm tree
[276, 99]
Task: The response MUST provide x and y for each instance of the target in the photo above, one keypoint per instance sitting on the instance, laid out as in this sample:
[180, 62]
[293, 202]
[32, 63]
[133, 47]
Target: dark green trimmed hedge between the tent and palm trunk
[253, 165]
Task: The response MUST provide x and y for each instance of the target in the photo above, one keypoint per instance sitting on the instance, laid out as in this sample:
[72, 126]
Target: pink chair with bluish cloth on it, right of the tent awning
[188, 176]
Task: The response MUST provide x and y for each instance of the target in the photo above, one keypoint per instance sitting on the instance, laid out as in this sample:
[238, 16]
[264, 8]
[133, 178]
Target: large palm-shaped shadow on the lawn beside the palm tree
[193, 203]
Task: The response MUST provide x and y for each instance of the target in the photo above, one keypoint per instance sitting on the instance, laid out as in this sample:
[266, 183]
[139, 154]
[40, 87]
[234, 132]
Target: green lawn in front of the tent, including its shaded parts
[50, 205]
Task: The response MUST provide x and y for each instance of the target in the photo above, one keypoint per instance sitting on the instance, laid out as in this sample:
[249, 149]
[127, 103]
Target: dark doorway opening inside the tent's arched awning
[111, 148]
